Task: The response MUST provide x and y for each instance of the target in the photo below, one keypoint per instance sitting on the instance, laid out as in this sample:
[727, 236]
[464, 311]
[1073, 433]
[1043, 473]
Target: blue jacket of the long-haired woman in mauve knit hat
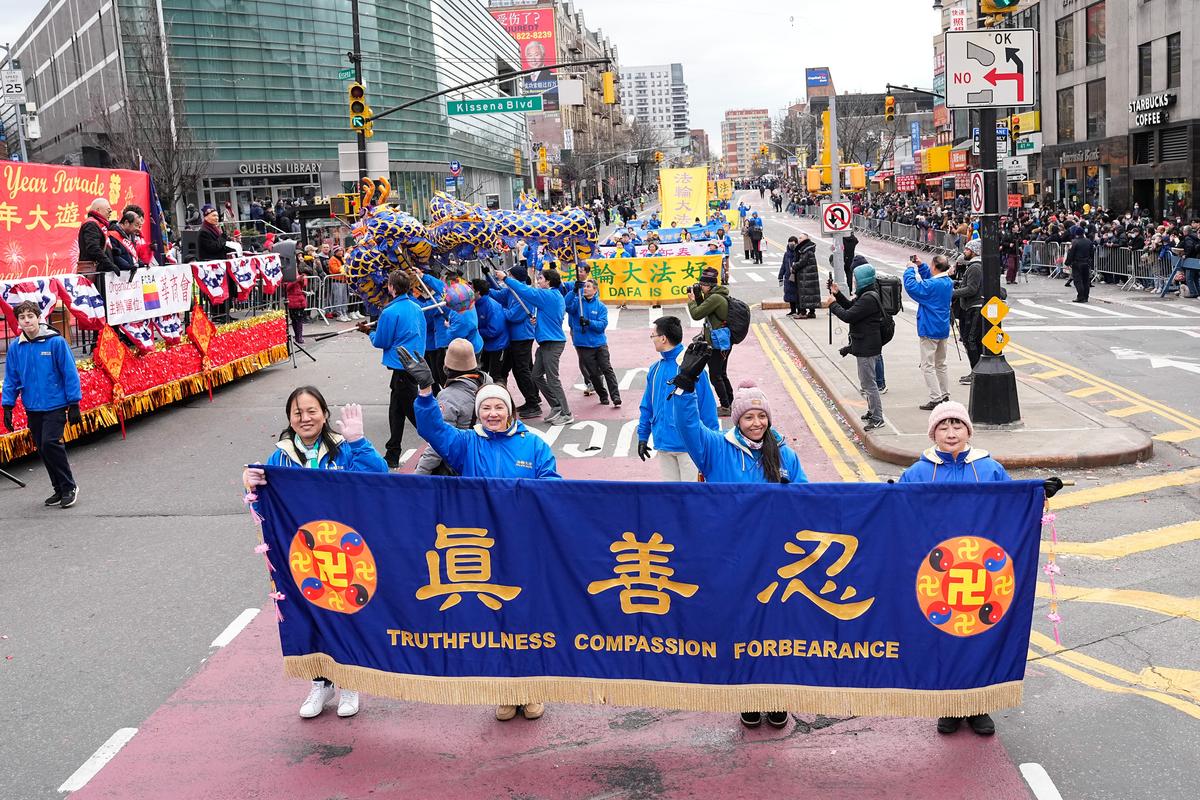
[725, 458]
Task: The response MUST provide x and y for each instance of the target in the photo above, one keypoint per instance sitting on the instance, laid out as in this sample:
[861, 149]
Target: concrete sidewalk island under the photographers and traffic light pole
[1055, 431]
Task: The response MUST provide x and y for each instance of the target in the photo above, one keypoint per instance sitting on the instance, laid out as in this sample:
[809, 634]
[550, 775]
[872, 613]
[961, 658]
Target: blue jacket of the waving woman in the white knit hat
[479, 453]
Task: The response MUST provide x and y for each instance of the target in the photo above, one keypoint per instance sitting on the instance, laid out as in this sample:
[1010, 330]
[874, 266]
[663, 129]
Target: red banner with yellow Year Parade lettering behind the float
[41, 209]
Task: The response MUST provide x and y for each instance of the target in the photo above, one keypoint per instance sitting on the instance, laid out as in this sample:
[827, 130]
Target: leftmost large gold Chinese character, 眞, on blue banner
[469, 569]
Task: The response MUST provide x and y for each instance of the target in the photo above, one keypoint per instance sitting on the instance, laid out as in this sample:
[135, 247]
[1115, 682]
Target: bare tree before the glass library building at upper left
[151, 124]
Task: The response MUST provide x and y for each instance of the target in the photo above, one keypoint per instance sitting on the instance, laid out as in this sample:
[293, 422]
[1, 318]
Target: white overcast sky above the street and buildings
[740, 55]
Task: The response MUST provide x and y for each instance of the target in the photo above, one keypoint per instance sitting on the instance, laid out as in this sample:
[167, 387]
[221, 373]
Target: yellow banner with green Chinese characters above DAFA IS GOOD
[650, 280]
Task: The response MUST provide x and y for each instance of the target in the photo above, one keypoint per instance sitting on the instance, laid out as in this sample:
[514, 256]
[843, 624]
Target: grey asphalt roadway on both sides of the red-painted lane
[111, 606]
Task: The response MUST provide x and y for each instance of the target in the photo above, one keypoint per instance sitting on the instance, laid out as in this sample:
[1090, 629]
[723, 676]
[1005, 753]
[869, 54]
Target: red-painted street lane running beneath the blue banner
[232, 730]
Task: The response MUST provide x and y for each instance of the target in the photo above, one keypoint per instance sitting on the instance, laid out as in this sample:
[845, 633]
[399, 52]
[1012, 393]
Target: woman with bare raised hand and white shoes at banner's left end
[309, 442]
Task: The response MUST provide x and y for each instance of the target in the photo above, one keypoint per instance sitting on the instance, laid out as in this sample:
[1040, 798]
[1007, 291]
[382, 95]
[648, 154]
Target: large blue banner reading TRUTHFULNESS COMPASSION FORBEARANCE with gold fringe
[849, 599]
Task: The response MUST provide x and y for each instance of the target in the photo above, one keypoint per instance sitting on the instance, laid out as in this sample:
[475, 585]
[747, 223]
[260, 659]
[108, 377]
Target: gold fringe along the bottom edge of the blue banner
[688, 697]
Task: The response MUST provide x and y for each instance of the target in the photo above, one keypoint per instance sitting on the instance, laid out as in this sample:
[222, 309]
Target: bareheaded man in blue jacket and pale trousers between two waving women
[656, 424]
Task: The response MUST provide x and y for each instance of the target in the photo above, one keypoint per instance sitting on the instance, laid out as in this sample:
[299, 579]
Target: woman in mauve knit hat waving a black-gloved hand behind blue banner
[749, 453]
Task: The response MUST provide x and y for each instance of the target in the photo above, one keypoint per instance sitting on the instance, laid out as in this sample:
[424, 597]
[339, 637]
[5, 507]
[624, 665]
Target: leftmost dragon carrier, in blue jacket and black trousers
[401, 324]
